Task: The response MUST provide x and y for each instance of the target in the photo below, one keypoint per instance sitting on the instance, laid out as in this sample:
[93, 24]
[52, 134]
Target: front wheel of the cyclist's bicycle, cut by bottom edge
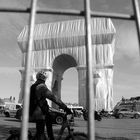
[77, 136]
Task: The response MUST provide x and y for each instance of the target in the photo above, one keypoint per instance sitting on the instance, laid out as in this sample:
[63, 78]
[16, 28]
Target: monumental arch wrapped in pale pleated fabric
[61, 45]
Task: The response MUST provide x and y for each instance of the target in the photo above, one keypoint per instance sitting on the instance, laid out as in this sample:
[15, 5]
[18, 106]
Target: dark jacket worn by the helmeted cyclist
[38, 104]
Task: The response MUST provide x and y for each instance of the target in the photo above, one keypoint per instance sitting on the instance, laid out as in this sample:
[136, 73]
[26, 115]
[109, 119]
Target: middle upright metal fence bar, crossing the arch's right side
[89, 74]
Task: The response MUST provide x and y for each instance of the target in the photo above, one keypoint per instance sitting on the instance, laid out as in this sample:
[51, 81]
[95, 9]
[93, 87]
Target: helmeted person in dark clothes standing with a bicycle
[39, 108]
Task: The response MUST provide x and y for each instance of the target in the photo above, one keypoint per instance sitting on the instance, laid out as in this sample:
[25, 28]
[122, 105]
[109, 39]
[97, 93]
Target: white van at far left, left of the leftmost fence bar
[10, 109]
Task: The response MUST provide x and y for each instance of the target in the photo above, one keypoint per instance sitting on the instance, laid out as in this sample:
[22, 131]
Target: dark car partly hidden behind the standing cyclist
[58, 117]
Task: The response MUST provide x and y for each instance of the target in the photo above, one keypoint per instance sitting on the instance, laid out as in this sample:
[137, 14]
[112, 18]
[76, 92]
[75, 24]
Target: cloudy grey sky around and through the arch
[126, 78]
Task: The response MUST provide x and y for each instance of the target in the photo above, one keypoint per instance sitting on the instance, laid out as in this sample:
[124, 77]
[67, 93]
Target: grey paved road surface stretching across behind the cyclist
[107, 129]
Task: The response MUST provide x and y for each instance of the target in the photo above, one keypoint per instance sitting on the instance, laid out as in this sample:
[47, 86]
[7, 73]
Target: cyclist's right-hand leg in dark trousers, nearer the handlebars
[49, 126]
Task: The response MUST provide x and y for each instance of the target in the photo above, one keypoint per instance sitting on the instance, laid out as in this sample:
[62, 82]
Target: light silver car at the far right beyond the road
[126, 112]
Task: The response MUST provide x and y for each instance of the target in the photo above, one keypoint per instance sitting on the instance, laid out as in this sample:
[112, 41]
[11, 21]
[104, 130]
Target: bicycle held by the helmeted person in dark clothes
[68, 123]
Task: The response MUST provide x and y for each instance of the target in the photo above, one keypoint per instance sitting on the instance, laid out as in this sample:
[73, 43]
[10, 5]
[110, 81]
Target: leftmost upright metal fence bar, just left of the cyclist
[26, 86]
